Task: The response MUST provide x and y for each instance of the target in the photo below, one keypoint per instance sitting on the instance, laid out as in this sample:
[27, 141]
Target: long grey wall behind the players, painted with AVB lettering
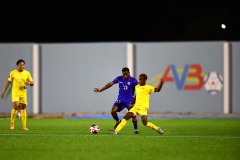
[68, 72]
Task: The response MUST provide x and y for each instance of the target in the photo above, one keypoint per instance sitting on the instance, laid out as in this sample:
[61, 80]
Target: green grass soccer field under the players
[70, 139]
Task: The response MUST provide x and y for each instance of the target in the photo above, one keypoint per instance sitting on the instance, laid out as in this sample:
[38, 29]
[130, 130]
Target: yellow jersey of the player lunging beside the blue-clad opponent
[143, 95]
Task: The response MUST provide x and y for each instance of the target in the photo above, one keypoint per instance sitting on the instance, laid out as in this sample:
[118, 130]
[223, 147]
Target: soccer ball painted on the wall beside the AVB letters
[213, 82]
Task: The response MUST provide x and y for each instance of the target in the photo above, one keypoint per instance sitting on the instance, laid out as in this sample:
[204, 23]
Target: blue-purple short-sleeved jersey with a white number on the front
[126, 87]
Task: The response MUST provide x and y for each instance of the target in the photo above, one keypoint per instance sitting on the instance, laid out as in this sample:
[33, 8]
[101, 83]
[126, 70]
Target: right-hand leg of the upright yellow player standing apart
[23, 104]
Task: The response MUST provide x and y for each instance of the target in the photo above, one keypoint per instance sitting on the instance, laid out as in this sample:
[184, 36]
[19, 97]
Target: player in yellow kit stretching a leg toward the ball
[141, 106]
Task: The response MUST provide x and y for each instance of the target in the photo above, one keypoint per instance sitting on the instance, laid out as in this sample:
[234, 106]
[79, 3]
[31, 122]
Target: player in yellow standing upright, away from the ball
[19, 78]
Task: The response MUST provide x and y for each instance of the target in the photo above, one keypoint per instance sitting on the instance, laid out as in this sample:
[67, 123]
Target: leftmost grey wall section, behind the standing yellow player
[9, 54]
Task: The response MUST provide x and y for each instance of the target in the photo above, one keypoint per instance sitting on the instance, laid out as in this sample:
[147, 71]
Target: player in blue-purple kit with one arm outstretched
[125, 95]
